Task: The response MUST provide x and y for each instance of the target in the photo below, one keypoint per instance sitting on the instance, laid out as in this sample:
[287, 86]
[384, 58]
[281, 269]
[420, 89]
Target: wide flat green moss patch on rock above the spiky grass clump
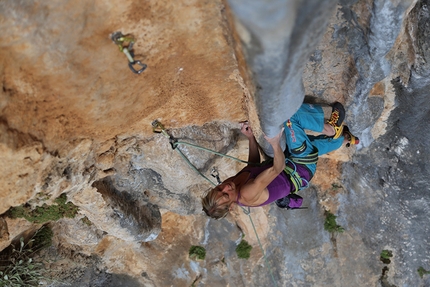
[45, 213]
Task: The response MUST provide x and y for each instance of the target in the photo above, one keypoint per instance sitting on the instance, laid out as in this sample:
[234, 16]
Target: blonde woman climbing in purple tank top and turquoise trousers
[258, 185]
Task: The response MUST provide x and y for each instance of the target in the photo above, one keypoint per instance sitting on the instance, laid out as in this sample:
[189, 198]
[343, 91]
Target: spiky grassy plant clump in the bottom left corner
[17, 267]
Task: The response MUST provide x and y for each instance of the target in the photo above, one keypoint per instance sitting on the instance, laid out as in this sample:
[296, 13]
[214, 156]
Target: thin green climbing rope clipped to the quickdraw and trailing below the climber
[159, 128]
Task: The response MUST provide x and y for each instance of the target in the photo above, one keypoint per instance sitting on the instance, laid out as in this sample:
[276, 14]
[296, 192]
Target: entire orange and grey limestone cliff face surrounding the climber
[74, 119]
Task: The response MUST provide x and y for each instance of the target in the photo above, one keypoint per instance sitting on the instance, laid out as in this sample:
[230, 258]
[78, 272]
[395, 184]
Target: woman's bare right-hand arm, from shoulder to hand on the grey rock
[253, 190]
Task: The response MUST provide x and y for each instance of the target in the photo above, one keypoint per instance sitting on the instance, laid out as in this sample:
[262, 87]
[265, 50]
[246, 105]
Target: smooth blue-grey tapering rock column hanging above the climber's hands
[279, 36]
